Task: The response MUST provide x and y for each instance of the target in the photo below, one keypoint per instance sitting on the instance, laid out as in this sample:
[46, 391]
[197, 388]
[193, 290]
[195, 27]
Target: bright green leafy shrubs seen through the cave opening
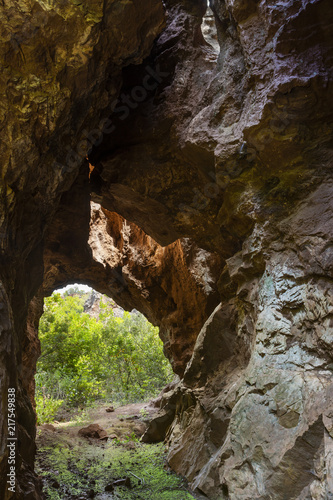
[85, 358]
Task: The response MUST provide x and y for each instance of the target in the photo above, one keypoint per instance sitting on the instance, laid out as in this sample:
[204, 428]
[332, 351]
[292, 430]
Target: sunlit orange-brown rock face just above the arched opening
[173, 285]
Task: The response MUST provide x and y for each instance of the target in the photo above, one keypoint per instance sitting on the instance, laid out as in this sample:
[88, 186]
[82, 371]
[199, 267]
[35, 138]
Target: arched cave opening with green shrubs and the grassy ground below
[99, 367]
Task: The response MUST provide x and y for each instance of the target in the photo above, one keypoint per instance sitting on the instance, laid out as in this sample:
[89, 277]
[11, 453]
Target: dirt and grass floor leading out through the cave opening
[72, 467]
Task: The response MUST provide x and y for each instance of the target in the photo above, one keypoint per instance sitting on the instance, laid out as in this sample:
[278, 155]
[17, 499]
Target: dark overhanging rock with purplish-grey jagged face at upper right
[227, 143]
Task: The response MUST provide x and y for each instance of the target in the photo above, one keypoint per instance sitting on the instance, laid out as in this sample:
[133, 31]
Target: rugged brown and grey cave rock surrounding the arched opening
[190, 181]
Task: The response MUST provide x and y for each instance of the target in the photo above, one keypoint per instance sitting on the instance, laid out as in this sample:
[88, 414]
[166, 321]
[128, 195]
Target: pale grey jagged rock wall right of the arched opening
[262, 400]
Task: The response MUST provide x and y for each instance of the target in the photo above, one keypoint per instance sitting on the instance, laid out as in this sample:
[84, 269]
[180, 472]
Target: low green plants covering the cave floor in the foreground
[79, 467]
